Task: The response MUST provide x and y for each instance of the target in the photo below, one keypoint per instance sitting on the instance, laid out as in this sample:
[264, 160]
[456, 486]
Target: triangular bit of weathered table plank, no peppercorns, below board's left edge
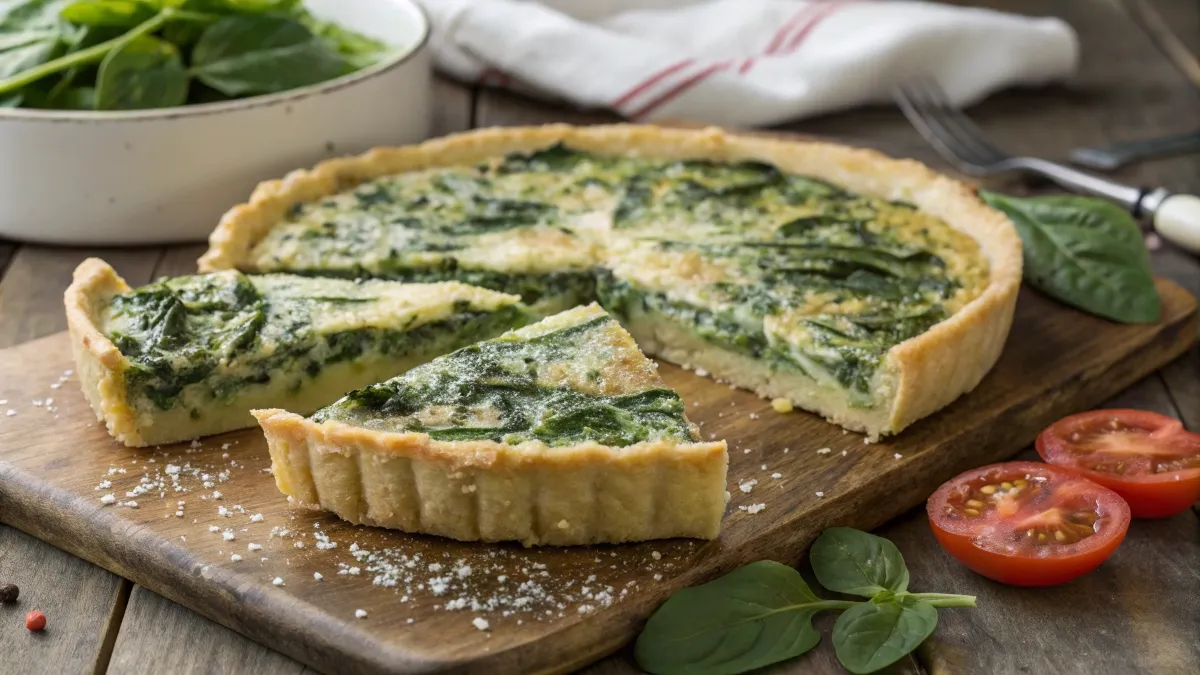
[163, 637]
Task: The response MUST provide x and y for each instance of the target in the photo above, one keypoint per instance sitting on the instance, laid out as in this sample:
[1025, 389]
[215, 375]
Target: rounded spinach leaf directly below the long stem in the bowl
[145, 73]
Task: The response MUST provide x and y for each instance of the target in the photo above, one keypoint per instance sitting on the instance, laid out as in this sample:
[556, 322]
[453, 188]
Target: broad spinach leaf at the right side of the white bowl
[263, 55]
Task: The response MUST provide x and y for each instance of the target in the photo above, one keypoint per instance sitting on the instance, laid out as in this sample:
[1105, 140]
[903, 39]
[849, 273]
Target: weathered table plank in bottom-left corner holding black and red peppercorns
[80, 600]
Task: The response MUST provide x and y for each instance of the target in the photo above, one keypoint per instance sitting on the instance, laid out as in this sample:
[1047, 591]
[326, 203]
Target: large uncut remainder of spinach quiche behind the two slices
[865, 289]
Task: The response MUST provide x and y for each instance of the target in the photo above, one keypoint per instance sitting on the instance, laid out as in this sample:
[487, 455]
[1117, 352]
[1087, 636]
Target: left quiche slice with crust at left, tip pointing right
[191, 356]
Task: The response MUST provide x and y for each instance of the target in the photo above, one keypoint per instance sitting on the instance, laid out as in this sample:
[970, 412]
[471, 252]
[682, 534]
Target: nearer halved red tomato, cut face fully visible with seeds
[1027, 523]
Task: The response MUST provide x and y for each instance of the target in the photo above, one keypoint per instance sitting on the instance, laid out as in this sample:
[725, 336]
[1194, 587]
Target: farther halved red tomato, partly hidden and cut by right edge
[1147, 458]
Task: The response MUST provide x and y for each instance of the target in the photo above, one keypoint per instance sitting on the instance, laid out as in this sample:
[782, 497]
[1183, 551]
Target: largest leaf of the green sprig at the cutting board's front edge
[754, 617]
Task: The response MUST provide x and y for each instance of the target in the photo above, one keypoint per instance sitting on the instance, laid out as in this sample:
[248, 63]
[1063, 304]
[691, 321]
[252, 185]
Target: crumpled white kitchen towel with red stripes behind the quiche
[742, 63]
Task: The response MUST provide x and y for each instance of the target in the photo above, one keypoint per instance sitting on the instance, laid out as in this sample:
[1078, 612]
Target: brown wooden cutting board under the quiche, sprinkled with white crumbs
[427, 599]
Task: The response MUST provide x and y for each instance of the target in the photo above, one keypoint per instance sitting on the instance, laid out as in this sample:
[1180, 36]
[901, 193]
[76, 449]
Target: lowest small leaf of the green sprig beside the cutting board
[872, 636]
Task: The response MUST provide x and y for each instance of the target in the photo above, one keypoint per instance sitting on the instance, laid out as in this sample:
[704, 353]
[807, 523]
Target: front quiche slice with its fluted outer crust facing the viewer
[559, 433]
